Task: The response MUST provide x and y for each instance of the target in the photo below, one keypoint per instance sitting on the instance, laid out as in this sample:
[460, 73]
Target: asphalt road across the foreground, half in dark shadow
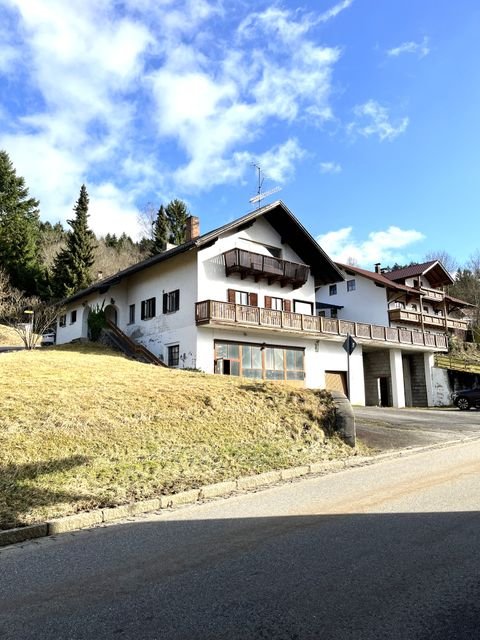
[389, 550]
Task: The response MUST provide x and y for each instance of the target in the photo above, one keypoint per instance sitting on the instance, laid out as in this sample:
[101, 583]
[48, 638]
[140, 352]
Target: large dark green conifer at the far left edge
[19, 229]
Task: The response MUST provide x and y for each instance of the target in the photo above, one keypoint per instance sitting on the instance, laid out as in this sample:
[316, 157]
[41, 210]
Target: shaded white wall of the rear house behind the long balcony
[367, 303]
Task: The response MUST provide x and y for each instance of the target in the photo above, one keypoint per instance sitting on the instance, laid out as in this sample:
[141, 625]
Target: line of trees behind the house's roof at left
[47, 261]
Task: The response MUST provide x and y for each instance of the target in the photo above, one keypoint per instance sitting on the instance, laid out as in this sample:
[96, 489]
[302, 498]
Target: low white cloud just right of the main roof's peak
[387, 247]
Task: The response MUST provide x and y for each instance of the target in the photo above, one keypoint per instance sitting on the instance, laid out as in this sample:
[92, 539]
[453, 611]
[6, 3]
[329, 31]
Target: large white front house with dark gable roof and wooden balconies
[243, 300]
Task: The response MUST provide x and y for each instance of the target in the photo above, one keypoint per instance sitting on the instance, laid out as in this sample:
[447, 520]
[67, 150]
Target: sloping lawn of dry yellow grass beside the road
[83, 427]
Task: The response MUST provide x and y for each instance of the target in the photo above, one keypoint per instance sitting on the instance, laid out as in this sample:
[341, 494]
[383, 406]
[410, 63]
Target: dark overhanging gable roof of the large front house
[279, 217]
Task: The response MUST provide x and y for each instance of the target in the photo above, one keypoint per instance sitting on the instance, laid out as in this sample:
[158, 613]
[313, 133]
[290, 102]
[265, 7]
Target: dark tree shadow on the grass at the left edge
[19, 493]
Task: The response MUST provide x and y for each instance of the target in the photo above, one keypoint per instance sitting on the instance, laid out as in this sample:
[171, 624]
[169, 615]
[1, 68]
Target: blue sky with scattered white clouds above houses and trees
[364, 112]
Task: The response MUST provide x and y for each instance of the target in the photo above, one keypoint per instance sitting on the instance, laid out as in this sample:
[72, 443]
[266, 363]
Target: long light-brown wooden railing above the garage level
[230, 314]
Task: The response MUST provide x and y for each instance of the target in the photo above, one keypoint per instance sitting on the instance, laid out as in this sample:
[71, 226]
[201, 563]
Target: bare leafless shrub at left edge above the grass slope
[28, 316]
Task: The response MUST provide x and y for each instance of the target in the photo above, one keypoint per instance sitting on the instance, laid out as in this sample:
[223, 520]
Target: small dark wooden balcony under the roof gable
[259, 267]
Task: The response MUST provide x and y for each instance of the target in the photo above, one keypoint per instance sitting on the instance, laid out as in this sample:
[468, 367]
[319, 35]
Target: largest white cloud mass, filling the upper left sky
[98, 74]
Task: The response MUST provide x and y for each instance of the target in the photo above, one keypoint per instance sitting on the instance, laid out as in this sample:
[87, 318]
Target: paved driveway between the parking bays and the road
[386, 428]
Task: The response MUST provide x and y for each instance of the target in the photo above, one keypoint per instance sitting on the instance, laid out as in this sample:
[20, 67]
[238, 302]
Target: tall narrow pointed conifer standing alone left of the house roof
[71, 269]
